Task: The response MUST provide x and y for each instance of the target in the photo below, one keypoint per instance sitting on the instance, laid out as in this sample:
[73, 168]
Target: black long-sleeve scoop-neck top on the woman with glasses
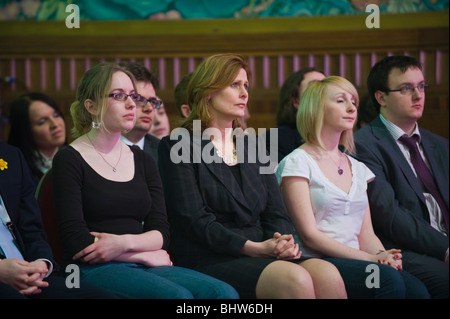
[85, 201]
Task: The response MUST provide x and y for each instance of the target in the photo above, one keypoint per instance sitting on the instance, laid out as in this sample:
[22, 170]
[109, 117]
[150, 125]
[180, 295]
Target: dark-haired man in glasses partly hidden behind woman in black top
[146, 84]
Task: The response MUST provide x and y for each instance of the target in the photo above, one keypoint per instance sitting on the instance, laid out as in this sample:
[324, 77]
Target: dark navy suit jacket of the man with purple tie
[399, 213]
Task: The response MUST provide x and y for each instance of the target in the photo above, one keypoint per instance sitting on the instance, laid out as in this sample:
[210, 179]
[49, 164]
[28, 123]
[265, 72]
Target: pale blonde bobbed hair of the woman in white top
[310, 112]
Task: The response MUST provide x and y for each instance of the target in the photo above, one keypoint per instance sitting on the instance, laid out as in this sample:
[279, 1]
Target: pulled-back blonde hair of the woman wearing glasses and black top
[94, 85]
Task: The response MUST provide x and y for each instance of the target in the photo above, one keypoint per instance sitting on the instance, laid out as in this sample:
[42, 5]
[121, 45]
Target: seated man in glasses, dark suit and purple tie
[406, 212]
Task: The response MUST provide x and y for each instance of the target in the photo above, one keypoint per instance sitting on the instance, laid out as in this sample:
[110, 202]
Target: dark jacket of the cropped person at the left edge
[17, 189]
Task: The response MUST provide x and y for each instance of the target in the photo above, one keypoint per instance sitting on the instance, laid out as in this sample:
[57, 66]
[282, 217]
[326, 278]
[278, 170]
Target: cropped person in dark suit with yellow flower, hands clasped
[27, 267]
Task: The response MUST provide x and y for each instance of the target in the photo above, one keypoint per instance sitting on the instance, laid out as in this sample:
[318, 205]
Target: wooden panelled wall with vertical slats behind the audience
[48, 57]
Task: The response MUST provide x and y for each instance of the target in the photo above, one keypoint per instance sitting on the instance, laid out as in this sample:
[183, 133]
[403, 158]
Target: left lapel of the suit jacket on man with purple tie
[391, 147]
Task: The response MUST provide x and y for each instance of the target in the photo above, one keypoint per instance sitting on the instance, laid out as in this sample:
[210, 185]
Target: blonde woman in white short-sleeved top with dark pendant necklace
[325, 194]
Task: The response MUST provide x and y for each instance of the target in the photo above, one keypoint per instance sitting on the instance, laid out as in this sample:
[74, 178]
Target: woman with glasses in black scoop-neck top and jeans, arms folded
[109, 202]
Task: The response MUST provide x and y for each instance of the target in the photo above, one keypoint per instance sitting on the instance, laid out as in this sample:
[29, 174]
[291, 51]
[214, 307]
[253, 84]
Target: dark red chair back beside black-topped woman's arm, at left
[44, 199]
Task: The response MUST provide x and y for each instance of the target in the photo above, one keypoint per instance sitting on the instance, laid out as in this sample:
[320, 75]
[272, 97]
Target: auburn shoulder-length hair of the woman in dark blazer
[213, 74]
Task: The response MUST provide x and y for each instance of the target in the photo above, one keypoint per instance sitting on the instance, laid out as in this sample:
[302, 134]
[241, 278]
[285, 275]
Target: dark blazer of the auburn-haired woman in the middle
[208, 211]
